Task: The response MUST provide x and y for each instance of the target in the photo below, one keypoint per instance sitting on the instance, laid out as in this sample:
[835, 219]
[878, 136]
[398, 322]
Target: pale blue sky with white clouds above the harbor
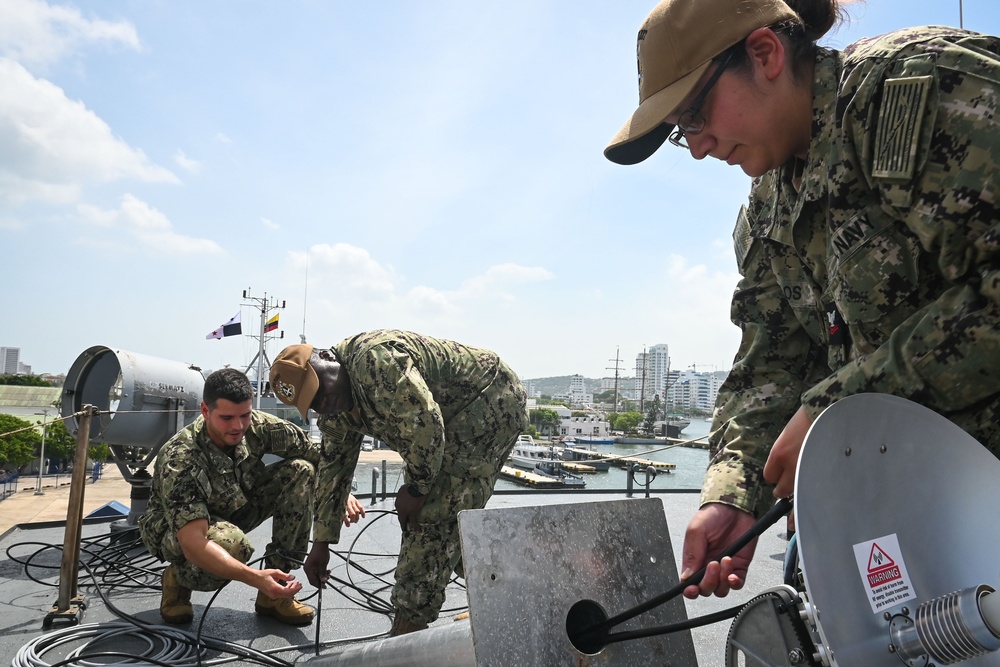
[435, 166]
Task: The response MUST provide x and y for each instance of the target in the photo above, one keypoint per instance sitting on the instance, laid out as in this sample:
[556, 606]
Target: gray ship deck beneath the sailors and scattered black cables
[344, 618]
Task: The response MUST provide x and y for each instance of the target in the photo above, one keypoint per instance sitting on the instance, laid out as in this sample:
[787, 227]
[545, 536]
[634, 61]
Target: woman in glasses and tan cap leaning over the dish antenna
[870, 248]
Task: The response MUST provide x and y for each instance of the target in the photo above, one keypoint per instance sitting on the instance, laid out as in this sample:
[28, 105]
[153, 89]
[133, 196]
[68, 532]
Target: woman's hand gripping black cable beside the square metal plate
[713, 528]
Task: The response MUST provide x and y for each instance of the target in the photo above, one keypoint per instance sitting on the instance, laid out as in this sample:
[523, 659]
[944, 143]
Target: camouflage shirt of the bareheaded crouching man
[195, 479]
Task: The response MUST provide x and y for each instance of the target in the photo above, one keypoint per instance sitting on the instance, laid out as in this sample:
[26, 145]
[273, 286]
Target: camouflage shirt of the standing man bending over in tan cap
[427, 399]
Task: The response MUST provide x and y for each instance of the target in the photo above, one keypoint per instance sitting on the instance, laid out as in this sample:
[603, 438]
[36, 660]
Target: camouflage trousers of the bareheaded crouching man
[287, 496]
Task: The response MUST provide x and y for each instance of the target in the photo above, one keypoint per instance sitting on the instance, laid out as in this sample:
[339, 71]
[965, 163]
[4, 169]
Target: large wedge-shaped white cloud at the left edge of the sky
[52, 144]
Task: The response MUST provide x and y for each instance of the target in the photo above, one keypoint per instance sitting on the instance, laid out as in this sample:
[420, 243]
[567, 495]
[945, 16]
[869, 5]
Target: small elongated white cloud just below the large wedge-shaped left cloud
[149, 227]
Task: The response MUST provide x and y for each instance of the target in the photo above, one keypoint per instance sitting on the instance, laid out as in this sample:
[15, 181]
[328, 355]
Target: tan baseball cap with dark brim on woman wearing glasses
[675, 46]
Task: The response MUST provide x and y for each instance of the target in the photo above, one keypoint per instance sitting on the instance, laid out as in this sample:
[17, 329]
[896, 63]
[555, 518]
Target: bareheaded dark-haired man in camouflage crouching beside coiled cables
[211, 487]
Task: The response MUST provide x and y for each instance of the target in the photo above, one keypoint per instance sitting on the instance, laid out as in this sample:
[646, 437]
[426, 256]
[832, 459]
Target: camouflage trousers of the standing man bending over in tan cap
[487, 430]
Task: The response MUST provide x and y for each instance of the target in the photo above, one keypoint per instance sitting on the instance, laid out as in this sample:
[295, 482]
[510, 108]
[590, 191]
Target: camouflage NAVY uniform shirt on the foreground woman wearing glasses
[873, 265]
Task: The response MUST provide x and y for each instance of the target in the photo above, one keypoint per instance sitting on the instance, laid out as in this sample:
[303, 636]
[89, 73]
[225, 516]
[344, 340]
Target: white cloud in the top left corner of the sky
[36, 33]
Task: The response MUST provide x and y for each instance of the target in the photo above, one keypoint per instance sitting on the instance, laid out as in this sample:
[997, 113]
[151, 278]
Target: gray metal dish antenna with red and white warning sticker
[897, 542]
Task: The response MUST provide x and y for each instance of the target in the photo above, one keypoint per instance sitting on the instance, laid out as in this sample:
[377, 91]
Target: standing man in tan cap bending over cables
[453, 413]
